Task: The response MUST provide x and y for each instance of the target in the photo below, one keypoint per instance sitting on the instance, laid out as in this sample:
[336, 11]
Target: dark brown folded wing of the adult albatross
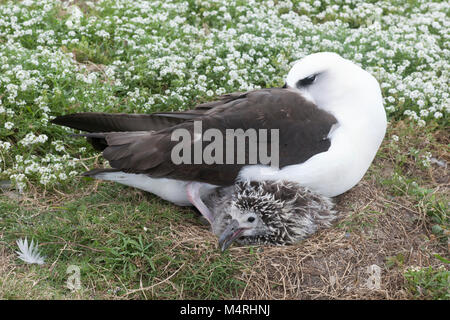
[303, 131]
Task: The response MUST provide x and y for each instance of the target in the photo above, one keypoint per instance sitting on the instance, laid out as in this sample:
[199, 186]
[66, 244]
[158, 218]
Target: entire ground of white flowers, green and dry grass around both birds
[171, 55]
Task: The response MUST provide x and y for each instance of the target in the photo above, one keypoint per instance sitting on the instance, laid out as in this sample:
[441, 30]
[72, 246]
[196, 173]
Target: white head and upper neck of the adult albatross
[340, 87]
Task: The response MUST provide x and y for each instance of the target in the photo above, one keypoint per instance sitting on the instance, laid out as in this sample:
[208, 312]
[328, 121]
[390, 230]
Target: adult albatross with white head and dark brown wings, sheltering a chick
[329, 114]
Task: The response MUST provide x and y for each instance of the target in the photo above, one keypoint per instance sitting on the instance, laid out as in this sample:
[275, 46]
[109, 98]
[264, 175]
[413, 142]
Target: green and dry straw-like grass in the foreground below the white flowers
[129, 244]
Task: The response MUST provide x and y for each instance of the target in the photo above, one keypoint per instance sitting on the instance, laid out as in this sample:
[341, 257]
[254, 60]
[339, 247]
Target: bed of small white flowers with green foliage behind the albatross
[144, 56]
